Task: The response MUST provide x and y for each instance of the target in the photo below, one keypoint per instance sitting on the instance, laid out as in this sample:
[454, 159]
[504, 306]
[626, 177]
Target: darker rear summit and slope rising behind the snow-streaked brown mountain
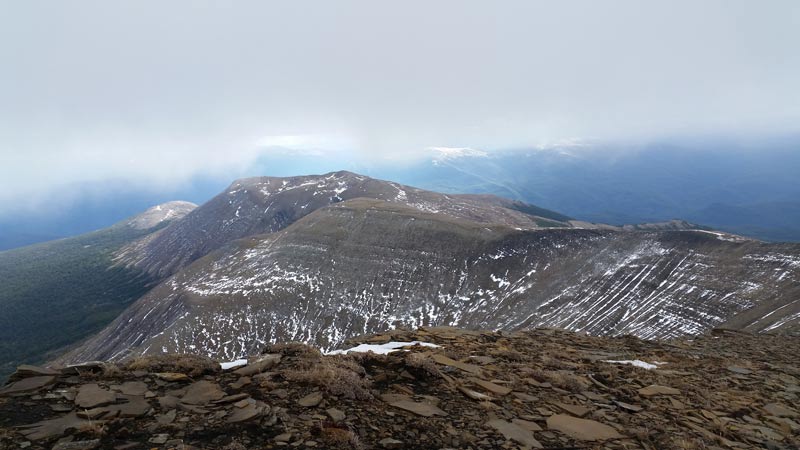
[267, 204]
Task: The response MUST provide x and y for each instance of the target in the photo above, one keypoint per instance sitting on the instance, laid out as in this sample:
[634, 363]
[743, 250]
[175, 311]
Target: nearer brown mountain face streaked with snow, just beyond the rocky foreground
[366, 265]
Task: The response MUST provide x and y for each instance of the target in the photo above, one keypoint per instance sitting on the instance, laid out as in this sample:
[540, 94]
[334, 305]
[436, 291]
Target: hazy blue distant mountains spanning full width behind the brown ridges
[748, 188]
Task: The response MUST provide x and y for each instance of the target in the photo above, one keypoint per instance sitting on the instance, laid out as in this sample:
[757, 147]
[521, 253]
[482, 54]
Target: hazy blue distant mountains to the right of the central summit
[749, 191]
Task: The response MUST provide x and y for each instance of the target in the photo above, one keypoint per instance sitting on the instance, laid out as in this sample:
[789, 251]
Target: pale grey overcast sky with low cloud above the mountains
[160, 90]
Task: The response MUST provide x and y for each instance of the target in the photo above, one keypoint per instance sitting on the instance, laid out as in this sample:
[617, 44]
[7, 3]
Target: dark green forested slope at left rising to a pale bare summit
[56, 293]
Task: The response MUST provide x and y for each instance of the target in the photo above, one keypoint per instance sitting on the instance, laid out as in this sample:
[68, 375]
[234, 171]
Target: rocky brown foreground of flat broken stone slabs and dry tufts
[476, 390]
